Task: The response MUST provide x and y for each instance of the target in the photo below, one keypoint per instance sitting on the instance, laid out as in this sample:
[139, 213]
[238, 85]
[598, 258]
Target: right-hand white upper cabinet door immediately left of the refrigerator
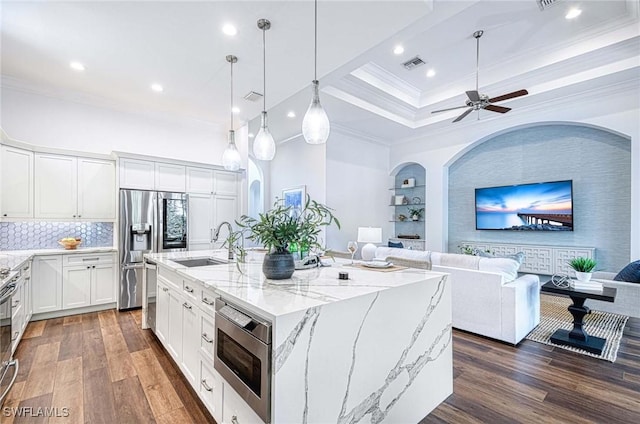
[96, 189]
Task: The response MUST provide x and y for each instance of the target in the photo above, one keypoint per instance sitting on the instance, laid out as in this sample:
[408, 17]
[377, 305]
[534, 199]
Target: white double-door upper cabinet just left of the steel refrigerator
[68, 187]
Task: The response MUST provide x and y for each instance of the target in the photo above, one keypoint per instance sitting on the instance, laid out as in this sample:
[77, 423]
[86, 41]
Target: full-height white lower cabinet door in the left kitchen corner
[46, 284]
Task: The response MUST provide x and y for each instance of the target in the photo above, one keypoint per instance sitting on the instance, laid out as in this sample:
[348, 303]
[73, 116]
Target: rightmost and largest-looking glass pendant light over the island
[315, 125]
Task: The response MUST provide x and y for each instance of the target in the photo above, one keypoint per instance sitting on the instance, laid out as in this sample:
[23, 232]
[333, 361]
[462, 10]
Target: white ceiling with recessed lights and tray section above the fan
[128, 45]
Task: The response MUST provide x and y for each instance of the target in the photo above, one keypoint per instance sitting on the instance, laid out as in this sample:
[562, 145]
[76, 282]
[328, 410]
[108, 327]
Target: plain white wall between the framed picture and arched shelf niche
[357, 188]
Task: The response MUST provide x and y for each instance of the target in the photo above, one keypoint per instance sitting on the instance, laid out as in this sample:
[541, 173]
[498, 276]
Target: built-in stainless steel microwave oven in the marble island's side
[243, 355]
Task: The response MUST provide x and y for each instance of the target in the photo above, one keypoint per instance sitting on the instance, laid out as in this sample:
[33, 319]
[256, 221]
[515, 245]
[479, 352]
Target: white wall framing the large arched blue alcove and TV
[617, 110]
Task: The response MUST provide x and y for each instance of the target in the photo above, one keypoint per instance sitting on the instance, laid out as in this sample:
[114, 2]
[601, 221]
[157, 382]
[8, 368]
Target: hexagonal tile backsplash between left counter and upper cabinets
[45, 235]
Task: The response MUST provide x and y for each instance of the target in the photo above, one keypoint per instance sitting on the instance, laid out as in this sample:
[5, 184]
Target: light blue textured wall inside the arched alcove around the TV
[598, 161]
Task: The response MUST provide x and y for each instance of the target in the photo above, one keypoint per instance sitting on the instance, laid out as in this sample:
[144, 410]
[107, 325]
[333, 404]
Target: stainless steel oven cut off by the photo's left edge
[6, 340]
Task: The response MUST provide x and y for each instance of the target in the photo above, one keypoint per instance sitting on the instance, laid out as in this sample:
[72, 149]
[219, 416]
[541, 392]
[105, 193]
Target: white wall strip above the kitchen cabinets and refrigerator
[54, 122]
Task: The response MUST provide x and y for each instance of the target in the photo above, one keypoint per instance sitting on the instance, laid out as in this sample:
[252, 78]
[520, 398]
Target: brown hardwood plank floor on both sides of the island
[105, 369]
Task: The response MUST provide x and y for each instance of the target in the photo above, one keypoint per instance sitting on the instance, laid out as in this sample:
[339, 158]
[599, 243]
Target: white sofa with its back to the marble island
[488, 297]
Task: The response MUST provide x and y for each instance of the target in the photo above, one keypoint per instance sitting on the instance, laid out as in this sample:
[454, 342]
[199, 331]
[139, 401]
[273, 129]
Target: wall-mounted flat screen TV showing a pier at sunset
[526, 207]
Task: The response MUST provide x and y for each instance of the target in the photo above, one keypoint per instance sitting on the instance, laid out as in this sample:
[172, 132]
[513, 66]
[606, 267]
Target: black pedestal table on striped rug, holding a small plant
[577, 337]
